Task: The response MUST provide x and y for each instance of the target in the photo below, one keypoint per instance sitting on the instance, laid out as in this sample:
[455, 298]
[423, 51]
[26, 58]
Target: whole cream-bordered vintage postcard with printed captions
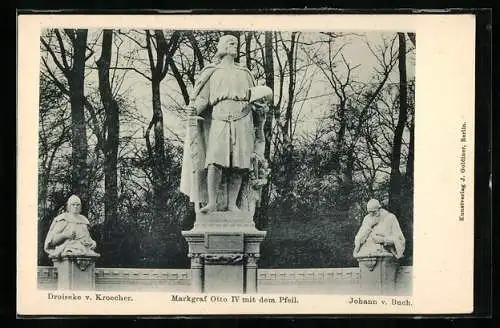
[245, 164]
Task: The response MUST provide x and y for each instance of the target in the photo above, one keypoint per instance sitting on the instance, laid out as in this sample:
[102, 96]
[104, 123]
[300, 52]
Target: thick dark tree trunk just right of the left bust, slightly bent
[111, 126]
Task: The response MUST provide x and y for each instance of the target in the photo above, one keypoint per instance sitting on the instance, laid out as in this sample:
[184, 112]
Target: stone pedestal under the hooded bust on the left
[75, 272]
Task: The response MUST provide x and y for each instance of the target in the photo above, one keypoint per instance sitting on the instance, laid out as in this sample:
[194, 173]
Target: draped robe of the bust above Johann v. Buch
[387, 229]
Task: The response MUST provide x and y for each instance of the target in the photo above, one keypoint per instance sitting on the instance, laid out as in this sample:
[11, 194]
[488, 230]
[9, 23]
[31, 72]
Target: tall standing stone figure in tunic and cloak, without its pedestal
[223, 165]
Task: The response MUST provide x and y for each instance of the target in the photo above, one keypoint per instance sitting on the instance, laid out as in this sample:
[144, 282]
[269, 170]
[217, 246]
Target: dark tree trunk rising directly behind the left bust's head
[78, 133]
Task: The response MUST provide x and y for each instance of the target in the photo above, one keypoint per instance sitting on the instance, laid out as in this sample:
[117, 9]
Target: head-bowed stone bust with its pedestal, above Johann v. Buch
[378, 246]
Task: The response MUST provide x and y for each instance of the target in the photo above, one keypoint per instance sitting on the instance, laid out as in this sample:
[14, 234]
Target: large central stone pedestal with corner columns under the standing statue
[224, 248]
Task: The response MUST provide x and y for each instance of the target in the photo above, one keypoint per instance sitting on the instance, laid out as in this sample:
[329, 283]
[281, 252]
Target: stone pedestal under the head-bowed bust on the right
[378, 275]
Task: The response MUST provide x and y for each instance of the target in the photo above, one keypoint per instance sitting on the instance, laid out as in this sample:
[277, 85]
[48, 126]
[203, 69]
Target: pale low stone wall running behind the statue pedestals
[289, 281]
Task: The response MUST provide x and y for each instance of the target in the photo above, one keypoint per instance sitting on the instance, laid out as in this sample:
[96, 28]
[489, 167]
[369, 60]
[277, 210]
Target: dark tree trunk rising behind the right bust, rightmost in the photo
[395, 182]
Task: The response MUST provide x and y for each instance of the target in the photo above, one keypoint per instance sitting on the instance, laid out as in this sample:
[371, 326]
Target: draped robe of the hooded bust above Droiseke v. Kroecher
[82, 244]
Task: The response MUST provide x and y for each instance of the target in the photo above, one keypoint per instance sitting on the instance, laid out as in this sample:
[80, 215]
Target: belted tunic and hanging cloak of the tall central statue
[226, 134]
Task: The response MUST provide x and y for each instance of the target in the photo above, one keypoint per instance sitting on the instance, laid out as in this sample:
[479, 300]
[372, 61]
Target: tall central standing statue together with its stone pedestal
[223, 171]
